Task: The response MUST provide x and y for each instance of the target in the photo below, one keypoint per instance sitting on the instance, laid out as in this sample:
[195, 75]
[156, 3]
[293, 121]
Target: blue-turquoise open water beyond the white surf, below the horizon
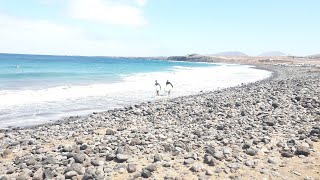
[40, 71]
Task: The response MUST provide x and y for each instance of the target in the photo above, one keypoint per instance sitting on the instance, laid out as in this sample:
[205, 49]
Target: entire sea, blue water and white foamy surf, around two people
[36, 89]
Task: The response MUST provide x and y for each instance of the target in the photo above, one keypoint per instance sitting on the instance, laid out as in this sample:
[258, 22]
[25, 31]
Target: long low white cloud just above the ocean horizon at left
[21, 35]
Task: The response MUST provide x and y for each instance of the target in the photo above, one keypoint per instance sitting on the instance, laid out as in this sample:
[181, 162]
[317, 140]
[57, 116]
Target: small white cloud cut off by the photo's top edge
[108, 12]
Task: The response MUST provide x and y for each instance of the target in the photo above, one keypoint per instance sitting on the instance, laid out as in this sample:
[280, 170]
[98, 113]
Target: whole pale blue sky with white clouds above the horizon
[159, 27]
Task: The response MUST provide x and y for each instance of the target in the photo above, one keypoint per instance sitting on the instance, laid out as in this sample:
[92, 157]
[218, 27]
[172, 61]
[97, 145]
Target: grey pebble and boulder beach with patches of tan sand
[263, 130]
